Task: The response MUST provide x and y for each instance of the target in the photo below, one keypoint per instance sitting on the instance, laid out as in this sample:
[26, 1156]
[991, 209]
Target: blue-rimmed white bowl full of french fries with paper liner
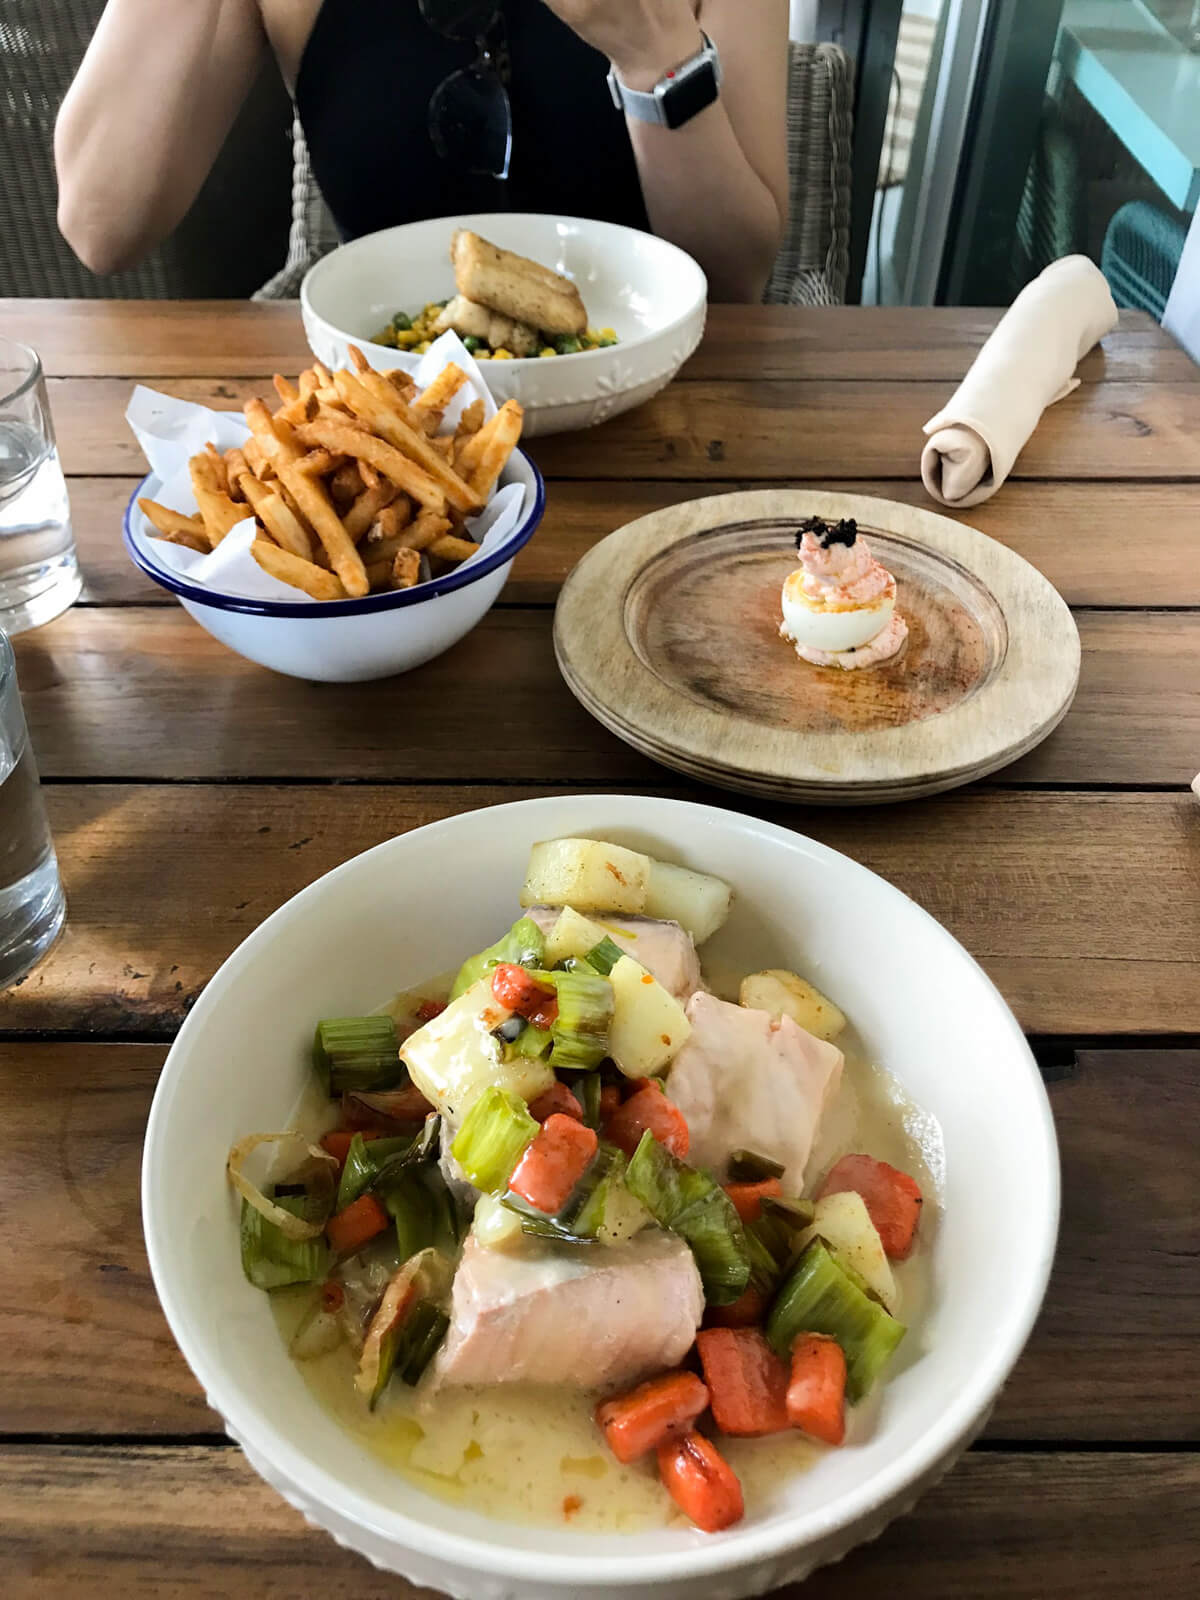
[354, 529]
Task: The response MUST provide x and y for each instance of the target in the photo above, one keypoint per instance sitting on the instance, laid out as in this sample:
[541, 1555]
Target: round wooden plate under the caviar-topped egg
[670, 634]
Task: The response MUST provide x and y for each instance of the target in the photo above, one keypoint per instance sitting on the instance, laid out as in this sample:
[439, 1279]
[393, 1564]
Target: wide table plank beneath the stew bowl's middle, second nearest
[1116, 1356]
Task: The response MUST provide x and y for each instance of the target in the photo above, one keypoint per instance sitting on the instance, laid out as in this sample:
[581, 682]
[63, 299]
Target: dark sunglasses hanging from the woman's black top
[470, 113]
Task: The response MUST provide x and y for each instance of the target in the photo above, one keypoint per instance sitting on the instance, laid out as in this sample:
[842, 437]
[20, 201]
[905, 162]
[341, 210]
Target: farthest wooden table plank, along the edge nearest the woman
[206, 340]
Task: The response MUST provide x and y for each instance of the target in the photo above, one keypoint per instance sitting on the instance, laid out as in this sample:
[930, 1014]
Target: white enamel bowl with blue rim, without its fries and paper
[348, 641]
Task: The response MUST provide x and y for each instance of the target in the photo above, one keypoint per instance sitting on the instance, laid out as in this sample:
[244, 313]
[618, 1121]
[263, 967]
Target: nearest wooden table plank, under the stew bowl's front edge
[198, 1522]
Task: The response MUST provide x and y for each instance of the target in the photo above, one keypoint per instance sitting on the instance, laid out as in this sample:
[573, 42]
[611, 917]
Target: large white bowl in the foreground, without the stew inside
[412, 908]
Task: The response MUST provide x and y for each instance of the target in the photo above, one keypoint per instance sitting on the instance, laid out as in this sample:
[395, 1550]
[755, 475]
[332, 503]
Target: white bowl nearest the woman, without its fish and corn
[649, 292]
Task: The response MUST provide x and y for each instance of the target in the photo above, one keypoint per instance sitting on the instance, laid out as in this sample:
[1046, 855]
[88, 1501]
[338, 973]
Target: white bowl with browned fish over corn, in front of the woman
[575, 319]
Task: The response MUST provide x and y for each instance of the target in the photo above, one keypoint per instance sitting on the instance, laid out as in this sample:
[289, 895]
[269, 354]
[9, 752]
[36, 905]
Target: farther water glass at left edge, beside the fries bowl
[39, 575]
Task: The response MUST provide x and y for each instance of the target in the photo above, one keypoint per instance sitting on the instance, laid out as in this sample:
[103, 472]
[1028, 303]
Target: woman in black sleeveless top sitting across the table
[162, 82]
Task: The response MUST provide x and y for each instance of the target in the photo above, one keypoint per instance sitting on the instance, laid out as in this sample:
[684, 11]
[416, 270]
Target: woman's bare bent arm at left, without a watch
[146, 118]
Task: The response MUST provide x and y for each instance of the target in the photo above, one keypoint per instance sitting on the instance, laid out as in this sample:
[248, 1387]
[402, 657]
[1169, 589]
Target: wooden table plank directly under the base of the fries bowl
[206, 713]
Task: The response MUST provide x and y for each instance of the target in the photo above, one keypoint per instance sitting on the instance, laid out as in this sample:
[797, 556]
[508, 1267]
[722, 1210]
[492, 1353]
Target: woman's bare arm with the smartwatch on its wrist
[718, 186]
